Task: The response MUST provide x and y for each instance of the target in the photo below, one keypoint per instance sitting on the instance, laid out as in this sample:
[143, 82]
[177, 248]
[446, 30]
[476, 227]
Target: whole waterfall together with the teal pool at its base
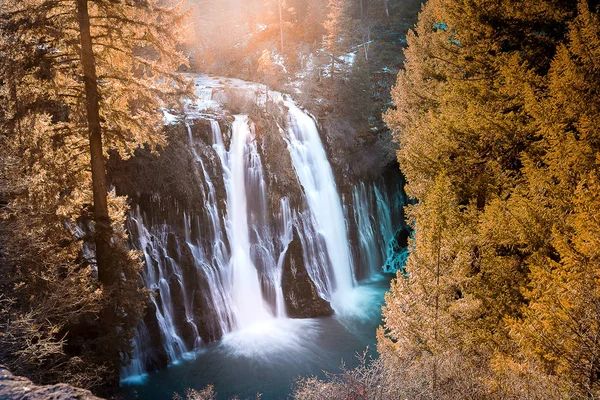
[218, 308]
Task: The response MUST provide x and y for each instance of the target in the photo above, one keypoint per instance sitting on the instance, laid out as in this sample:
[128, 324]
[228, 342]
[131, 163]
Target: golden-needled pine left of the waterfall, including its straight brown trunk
[132, 47]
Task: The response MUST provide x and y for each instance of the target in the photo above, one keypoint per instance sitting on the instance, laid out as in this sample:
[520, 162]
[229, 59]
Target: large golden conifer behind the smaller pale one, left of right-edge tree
[463, 106]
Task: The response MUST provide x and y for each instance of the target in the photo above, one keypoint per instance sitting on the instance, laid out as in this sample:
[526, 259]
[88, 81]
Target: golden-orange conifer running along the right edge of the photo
[557, 333]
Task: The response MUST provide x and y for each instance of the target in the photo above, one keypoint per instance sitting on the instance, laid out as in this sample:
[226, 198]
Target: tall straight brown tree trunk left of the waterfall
[103, 229]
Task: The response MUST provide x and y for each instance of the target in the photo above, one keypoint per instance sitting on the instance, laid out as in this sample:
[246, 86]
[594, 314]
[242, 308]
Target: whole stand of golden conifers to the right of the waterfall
[496, 117]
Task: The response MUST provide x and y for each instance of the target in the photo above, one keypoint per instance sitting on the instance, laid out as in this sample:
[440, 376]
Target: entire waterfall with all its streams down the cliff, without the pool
[239, 239]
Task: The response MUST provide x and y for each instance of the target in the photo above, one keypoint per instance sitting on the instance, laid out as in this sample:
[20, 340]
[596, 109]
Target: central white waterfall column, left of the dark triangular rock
[247, 231]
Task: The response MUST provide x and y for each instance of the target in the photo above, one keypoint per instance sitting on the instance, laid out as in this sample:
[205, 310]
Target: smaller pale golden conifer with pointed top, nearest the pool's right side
[427, 309]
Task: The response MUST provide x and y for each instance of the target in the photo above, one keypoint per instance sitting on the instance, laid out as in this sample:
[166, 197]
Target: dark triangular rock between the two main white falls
[299, 291]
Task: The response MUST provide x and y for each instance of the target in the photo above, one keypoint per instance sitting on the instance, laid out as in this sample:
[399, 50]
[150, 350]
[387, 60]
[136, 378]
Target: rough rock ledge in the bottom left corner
[18, 388]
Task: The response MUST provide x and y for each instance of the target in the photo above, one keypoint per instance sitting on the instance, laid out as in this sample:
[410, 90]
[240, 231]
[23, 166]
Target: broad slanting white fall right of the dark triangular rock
[316, 176]
